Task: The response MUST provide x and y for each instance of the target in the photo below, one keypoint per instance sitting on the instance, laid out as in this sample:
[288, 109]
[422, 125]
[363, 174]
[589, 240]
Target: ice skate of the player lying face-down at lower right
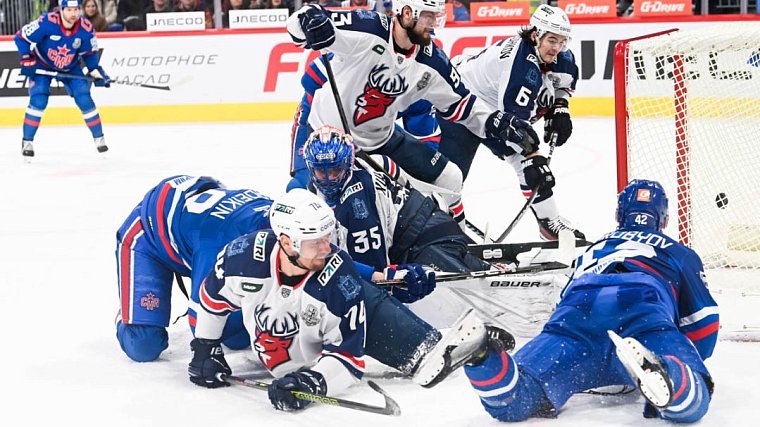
[645, 369]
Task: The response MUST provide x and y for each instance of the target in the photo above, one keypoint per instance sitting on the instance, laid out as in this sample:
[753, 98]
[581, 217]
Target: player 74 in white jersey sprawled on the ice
[305, 306]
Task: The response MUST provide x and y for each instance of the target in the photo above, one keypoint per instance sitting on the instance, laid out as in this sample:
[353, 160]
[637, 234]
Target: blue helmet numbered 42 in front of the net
[642, 204]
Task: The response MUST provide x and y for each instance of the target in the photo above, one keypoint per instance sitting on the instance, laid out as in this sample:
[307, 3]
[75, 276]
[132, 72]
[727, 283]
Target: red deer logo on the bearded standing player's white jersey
[381, 89]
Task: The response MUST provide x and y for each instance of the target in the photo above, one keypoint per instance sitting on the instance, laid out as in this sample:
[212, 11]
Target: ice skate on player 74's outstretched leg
[466, 340]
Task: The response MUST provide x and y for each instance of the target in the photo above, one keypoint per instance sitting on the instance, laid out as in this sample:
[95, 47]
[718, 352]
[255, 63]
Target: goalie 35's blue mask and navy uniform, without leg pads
[380, 221]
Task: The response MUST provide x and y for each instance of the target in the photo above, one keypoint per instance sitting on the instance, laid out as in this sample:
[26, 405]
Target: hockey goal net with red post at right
[688, 116]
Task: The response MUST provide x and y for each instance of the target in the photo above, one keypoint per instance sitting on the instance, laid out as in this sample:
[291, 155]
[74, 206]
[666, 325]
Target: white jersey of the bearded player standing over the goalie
[375, 82]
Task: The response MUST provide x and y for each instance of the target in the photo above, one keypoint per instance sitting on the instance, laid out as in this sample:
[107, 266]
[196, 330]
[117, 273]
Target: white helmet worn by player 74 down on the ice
[302, 216]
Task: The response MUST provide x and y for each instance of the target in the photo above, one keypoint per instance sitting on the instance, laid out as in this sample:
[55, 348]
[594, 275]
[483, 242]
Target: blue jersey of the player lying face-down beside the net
[677, 269]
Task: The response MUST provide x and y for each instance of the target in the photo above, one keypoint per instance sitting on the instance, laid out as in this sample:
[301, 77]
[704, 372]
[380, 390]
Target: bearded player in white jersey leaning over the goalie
[382, 65]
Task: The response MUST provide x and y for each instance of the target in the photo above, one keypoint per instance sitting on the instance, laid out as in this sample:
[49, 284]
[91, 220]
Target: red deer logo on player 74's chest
[274, 335]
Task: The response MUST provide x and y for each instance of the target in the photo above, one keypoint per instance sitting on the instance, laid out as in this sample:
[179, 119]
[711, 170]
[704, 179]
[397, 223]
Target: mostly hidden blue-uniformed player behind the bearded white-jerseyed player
[418, 120]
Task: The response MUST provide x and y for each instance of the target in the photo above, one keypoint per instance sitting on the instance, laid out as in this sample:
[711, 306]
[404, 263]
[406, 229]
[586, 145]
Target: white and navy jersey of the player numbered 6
[510, 76]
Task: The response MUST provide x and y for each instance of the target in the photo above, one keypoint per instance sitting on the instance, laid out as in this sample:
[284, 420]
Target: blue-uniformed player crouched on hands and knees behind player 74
[178, 228]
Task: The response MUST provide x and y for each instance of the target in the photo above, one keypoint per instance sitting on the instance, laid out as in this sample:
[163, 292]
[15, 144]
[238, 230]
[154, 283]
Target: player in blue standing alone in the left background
[57, 42]
